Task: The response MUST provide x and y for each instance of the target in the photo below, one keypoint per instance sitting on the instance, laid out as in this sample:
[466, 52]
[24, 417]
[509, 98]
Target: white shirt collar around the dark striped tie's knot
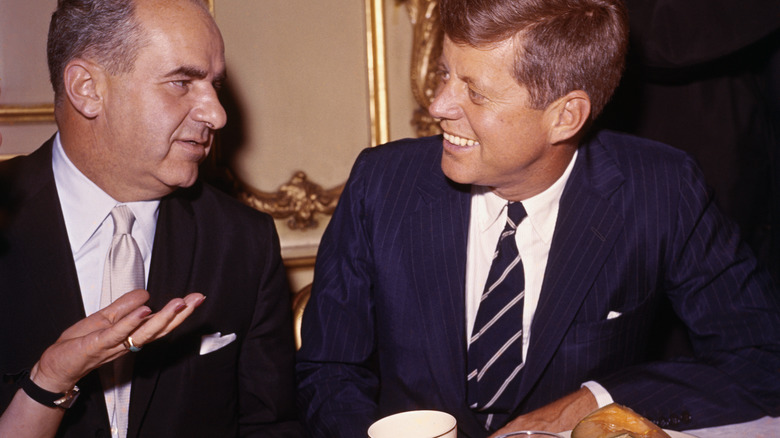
[542, 208]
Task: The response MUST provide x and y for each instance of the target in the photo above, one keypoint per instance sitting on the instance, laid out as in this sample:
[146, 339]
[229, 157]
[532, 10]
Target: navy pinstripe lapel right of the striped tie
[585, 233]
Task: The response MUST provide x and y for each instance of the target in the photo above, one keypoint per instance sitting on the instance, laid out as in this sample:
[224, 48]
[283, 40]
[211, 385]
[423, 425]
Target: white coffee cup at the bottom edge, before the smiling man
[415, 424]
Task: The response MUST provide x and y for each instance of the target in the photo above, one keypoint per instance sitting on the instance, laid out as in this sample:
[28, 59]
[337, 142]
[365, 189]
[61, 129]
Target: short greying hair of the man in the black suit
[105, 31]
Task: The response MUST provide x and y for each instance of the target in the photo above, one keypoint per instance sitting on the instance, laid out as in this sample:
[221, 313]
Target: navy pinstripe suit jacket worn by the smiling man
[637, 230]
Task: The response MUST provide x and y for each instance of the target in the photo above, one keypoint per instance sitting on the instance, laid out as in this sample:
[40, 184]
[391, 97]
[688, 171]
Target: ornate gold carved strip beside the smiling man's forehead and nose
[426, 49]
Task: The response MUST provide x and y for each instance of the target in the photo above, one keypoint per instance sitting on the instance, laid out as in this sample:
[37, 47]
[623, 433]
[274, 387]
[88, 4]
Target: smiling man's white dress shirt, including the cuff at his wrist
[533, 237]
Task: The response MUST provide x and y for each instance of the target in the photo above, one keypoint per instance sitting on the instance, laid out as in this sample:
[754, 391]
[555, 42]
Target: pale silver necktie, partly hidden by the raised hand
[124, 271]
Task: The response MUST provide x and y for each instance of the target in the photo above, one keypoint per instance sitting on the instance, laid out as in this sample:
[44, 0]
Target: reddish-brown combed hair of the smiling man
[561, 45]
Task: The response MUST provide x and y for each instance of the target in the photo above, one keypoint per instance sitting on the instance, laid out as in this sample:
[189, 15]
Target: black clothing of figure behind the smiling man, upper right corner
[704, 76]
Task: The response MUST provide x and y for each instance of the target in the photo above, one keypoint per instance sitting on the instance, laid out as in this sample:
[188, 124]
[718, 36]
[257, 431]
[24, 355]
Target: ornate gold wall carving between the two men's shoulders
[299, 199]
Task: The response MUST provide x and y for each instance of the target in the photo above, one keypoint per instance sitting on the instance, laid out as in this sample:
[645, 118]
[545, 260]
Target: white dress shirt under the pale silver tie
[87, 212]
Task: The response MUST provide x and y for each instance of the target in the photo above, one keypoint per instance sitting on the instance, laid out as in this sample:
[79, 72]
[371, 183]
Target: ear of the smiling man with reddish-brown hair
[568, 115]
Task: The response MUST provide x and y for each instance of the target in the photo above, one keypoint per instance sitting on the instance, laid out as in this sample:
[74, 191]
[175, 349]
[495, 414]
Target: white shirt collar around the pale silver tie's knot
[85, 205]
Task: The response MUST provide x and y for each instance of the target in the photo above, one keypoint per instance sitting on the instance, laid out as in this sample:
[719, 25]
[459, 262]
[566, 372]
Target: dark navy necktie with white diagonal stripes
[495, 356]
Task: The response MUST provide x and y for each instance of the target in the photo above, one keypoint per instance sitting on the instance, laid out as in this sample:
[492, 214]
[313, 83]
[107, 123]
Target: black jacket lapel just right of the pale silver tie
[169, 274]
